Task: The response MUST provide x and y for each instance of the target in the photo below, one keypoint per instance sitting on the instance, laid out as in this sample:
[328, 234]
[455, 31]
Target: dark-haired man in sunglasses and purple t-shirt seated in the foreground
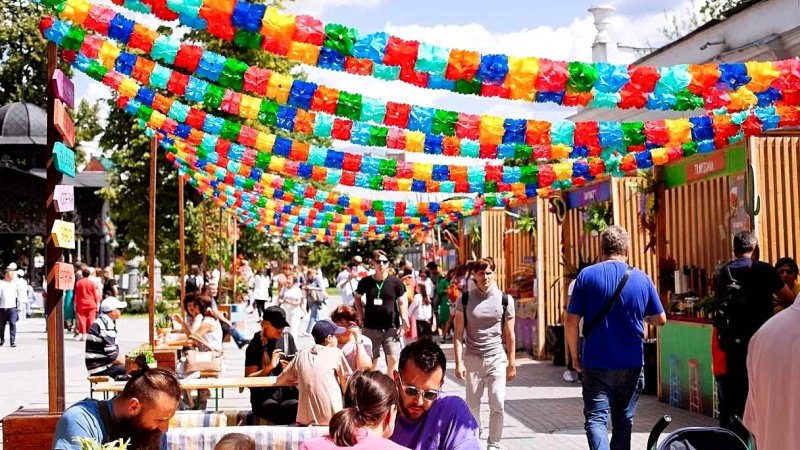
[428, 419]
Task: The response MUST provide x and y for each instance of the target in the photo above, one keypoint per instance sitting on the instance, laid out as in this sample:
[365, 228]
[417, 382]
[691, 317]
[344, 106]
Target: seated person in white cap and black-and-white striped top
[102, 351]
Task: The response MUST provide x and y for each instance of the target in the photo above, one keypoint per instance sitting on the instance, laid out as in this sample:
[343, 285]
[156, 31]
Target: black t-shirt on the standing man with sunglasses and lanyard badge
[385, 313]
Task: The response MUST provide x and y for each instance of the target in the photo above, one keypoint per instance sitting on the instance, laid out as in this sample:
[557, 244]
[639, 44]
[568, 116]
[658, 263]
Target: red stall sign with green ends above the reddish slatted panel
[705, 166]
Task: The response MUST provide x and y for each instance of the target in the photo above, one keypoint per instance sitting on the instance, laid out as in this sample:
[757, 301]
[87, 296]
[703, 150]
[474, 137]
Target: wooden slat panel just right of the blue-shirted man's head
[626, 215]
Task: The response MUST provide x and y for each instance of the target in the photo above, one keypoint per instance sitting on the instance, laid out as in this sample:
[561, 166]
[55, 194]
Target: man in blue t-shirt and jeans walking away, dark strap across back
[613, 352]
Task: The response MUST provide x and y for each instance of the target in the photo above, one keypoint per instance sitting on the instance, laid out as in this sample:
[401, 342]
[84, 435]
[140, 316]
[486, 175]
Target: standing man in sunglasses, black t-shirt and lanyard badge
[384, 310]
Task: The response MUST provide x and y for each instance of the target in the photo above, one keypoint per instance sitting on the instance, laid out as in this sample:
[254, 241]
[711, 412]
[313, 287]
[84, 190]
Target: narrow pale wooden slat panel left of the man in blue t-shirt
[549, 271]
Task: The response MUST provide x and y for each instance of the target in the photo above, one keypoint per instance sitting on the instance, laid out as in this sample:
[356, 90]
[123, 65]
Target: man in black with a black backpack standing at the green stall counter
[744, 292]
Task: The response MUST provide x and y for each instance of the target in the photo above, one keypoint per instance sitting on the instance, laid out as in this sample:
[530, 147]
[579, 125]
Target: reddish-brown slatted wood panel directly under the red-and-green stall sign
[698, 225]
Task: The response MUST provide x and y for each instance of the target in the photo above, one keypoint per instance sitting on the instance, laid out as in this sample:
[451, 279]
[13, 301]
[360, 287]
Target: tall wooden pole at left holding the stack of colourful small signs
[53, 254]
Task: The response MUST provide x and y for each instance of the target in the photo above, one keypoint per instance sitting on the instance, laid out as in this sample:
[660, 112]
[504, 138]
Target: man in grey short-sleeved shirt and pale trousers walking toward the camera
[484, 324]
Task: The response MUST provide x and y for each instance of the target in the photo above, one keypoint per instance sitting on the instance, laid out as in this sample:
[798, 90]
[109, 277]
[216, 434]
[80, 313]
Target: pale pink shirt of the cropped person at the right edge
[772, 413]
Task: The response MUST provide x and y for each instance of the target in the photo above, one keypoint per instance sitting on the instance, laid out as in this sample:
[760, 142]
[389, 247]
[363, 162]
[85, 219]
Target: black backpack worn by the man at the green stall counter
[730, 312]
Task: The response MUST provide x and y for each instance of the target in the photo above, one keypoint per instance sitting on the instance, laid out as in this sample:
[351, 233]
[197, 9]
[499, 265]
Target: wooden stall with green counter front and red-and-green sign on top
[703, 208]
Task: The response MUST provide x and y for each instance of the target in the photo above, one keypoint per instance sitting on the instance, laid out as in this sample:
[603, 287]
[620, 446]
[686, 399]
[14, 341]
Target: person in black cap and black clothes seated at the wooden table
[266, 355]
